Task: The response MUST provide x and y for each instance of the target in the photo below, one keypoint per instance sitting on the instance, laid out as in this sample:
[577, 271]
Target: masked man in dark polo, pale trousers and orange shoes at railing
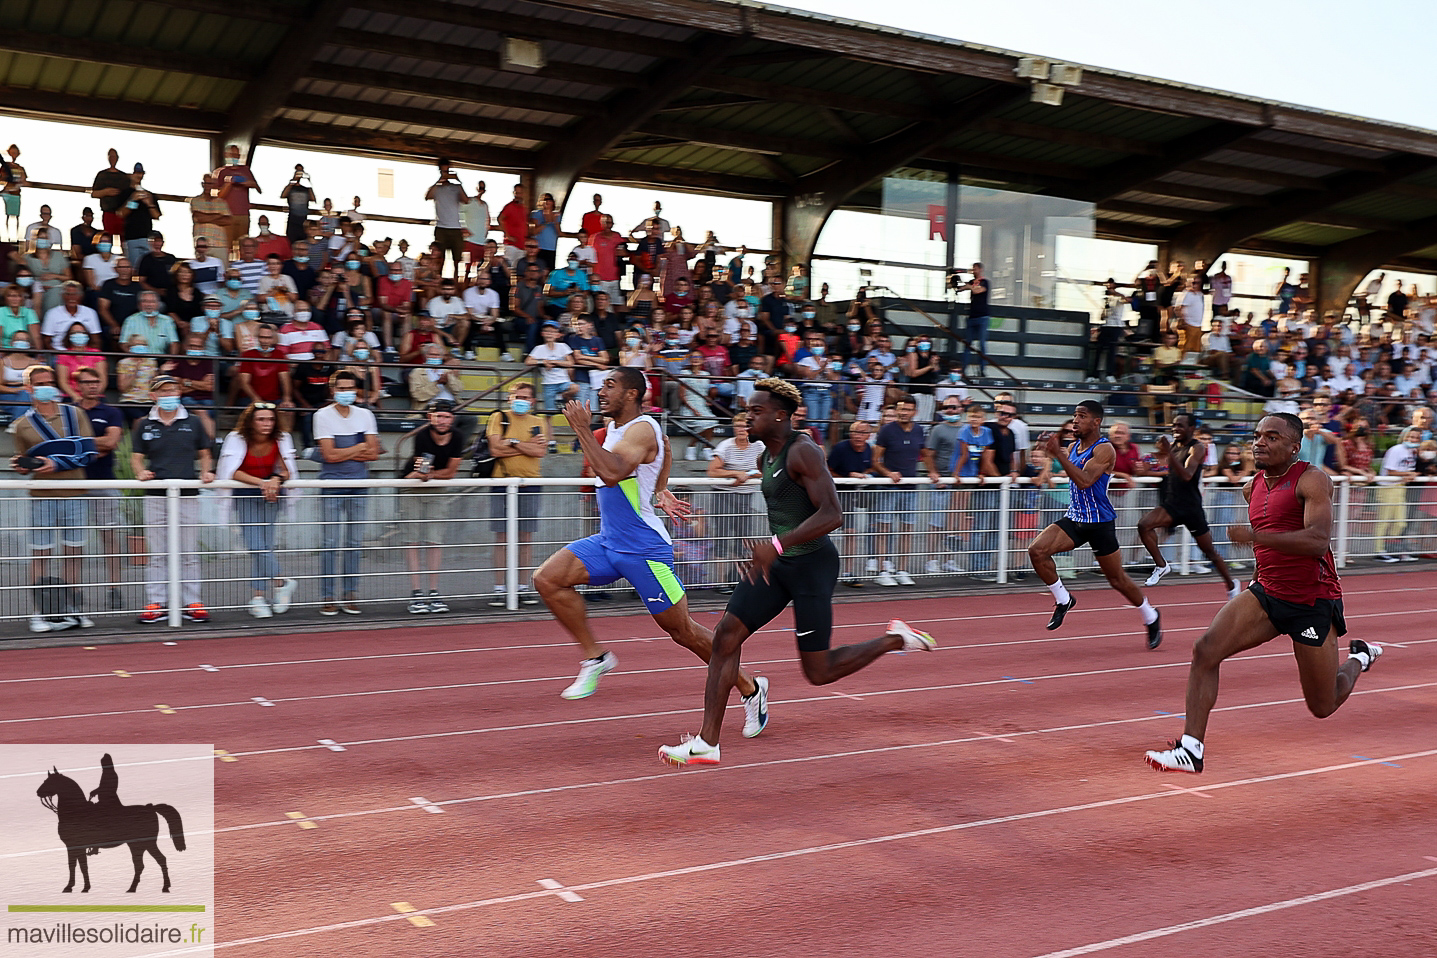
[166, 446]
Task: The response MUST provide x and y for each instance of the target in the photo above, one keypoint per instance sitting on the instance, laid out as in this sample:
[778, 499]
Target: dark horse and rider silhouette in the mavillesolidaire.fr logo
[88, 827]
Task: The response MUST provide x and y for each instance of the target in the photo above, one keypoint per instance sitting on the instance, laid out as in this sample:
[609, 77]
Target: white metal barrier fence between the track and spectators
[373, 544]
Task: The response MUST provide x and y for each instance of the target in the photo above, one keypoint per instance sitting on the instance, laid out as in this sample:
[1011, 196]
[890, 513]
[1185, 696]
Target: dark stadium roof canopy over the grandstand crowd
[736, 98]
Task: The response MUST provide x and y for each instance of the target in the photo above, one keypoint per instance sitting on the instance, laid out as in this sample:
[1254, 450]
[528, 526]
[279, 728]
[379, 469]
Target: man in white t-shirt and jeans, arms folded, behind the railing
[348, 440]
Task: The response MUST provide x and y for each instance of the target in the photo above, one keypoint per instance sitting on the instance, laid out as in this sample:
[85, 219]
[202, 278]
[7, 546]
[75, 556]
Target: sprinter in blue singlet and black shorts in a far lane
[1091, 519]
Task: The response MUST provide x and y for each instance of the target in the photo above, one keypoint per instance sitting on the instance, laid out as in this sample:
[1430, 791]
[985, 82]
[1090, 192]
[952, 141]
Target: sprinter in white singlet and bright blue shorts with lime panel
[633, 544]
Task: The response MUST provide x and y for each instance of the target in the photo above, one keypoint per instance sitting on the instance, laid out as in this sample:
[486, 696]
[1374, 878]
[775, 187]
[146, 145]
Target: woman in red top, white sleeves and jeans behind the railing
[261, 457]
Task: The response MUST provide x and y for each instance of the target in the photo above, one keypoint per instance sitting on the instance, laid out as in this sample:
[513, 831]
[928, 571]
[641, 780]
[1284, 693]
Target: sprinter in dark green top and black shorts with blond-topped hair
[800, 567]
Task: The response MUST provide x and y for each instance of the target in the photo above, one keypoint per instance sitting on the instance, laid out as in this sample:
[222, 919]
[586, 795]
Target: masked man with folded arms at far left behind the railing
[58, 443]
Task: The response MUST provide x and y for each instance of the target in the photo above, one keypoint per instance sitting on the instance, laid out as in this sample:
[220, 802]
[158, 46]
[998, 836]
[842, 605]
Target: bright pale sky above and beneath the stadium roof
[1326, 54]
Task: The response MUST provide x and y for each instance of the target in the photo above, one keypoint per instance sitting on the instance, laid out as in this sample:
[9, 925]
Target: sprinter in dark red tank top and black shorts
[1295, 592]
